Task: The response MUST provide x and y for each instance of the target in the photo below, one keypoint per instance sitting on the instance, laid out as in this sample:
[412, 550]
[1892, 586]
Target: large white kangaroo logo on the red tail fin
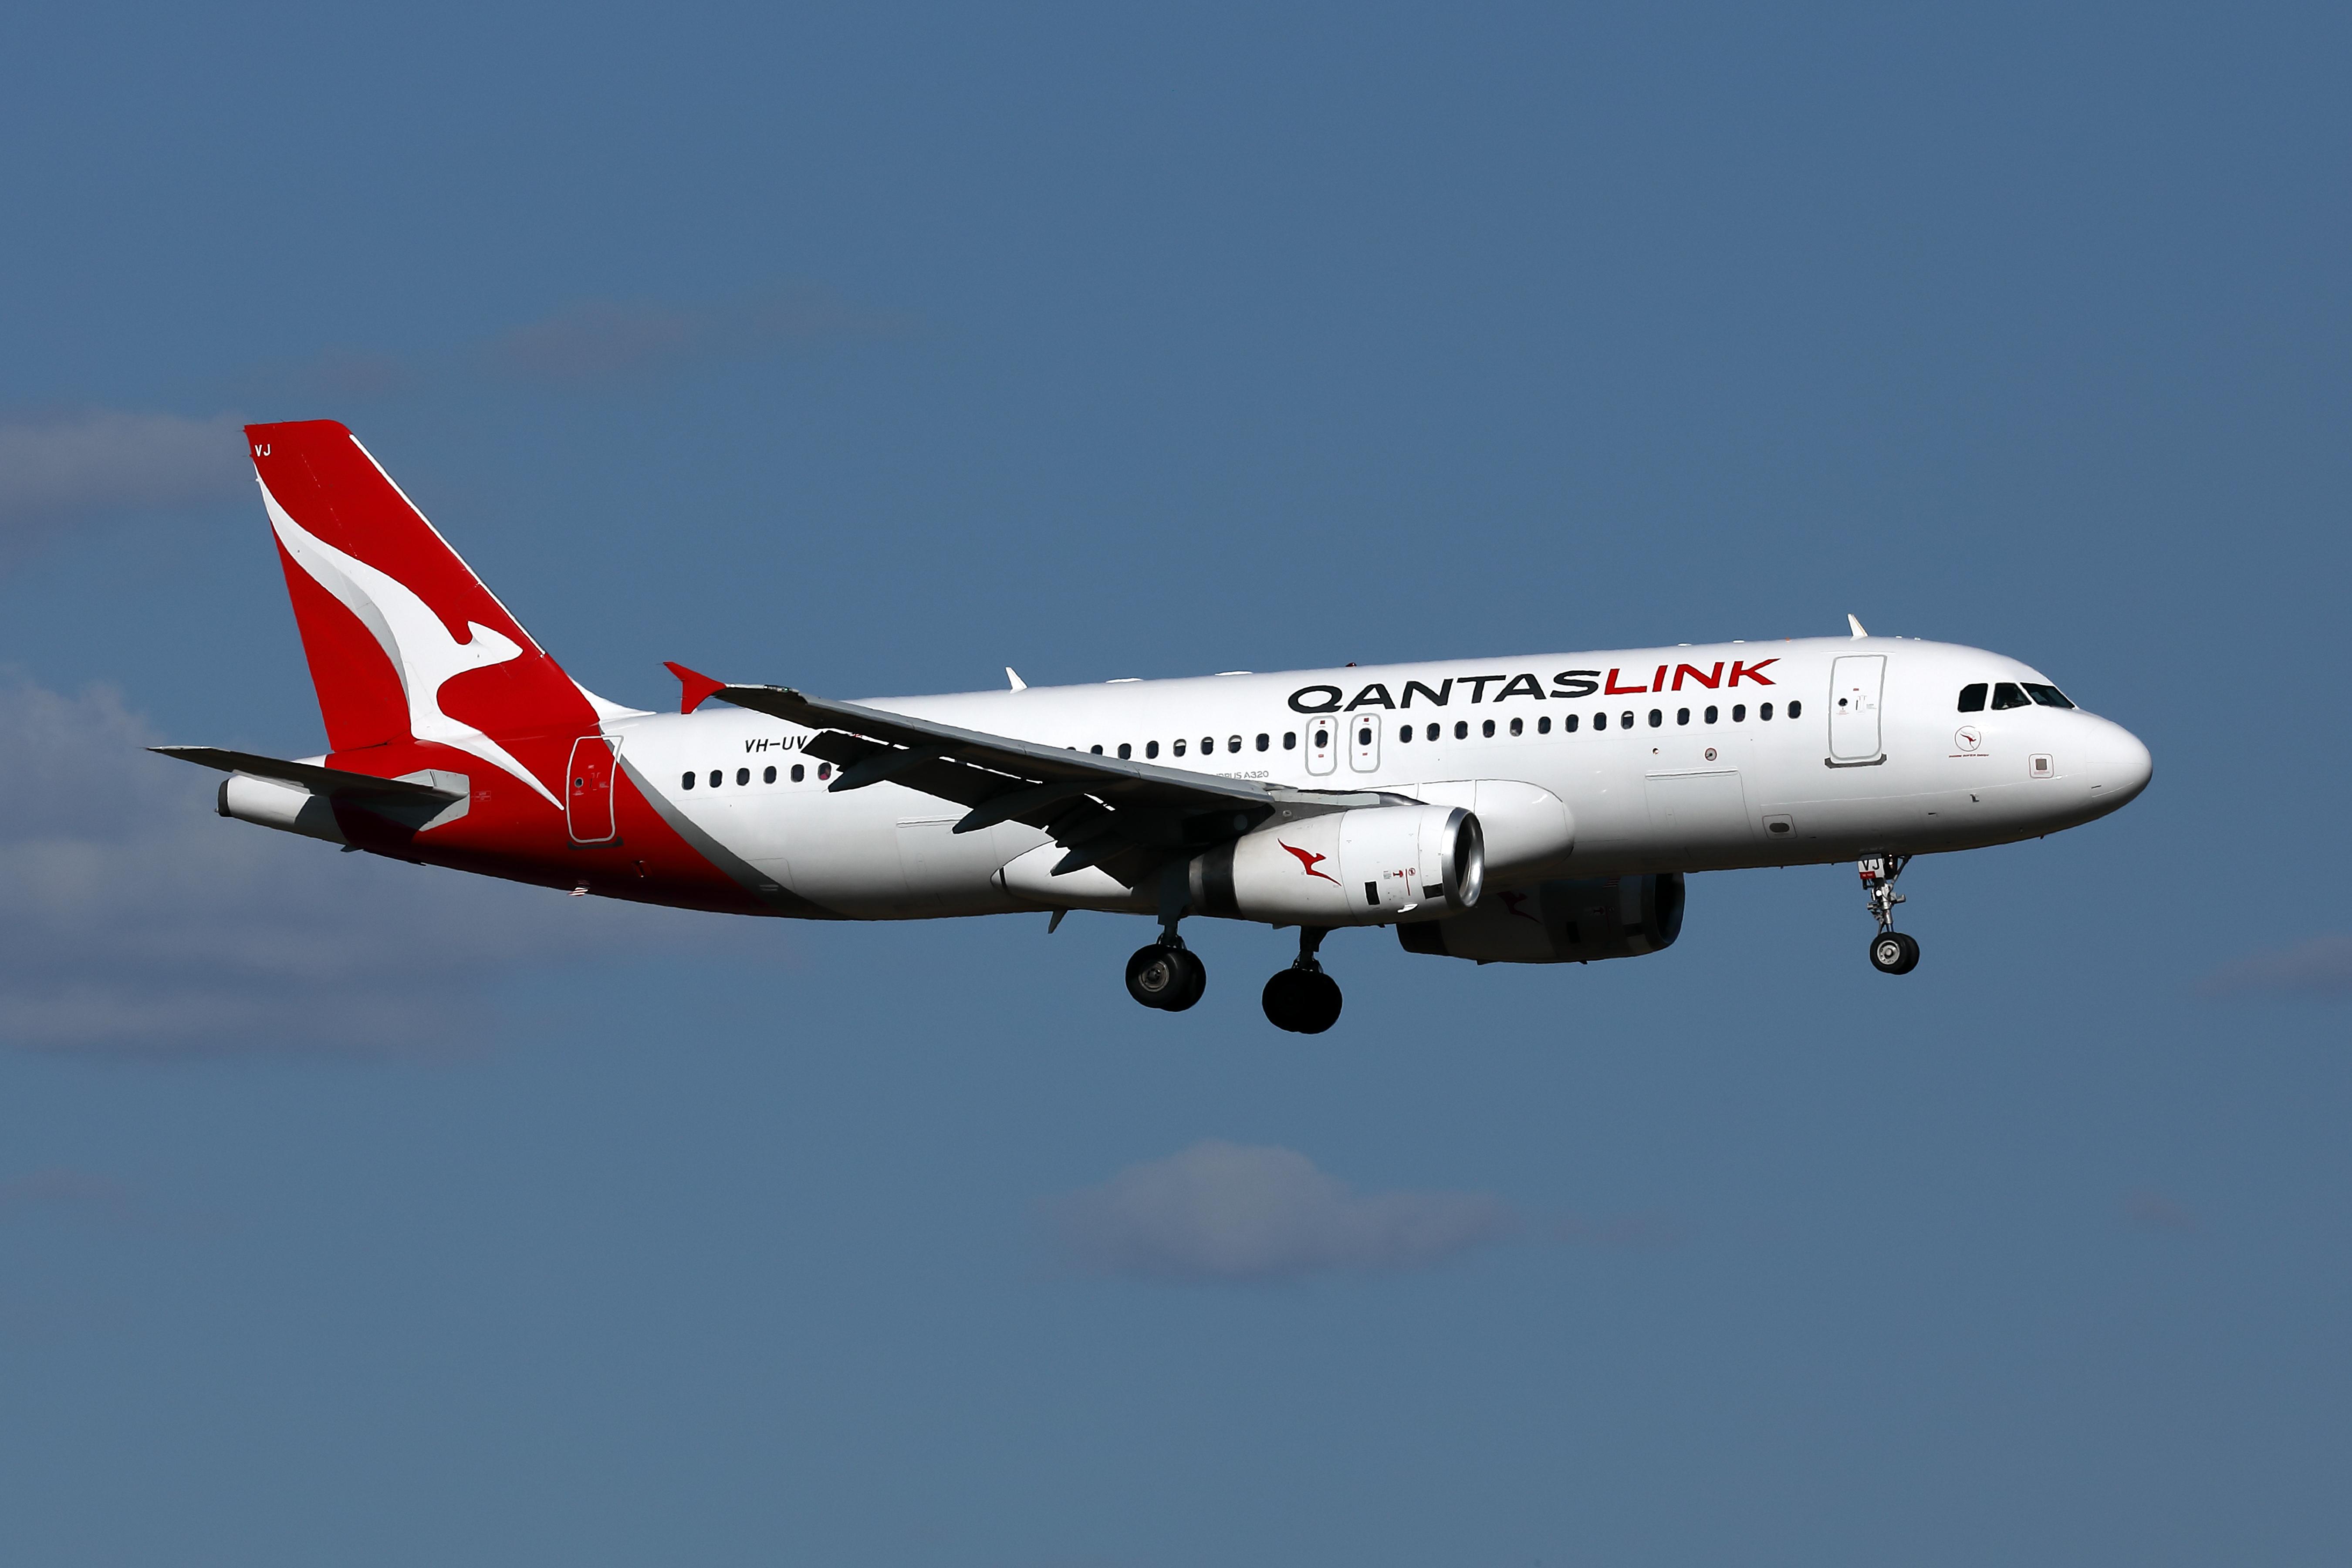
[413, 636]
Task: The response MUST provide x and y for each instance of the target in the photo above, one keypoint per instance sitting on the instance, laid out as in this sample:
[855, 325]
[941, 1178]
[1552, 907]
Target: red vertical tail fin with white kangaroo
[403, 641]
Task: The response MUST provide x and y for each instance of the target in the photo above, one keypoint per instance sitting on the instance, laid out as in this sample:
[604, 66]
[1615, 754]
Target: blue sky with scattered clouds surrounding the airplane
[377, 1217]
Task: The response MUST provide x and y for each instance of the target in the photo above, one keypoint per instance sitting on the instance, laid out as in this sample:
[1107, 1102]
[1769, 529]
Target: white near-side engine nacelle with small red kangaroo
[1347, 869]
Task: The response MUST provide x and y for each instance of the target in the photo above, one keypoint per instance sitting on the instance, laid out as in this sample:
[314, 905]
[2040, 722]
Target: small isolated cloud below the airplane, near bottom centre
[1224, 1212]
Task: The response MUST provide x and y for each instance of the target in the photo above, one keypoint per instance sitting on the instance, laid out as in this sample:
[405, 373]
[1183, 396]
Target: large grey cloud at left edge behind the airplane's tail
[138, 923]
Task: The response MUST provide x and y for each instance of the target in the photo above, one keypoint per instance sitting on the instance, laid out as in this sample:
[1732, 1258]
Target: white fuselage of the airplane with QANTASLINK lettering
[1582, 765]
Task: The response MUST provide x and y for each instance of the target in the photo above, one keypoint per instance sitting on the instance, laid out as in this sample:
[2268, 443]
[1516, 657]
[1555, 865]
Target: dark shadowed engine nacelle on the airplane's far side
[1561, 923]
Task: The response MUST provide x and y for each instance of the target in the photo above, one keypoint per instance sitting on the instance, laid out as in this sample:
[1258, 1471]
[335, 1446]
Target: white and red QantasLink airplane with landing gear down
[1530, 810]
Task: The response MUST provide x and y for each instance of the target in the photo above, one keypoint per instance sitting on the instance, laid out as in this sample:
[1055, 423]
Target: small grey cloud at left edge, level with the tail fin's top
[62, 471]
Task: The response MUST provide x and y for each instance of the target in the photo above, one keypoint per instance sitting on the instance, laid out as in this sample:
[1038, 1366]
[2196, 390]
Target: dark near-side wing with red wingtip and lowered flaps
[1109, 812]
